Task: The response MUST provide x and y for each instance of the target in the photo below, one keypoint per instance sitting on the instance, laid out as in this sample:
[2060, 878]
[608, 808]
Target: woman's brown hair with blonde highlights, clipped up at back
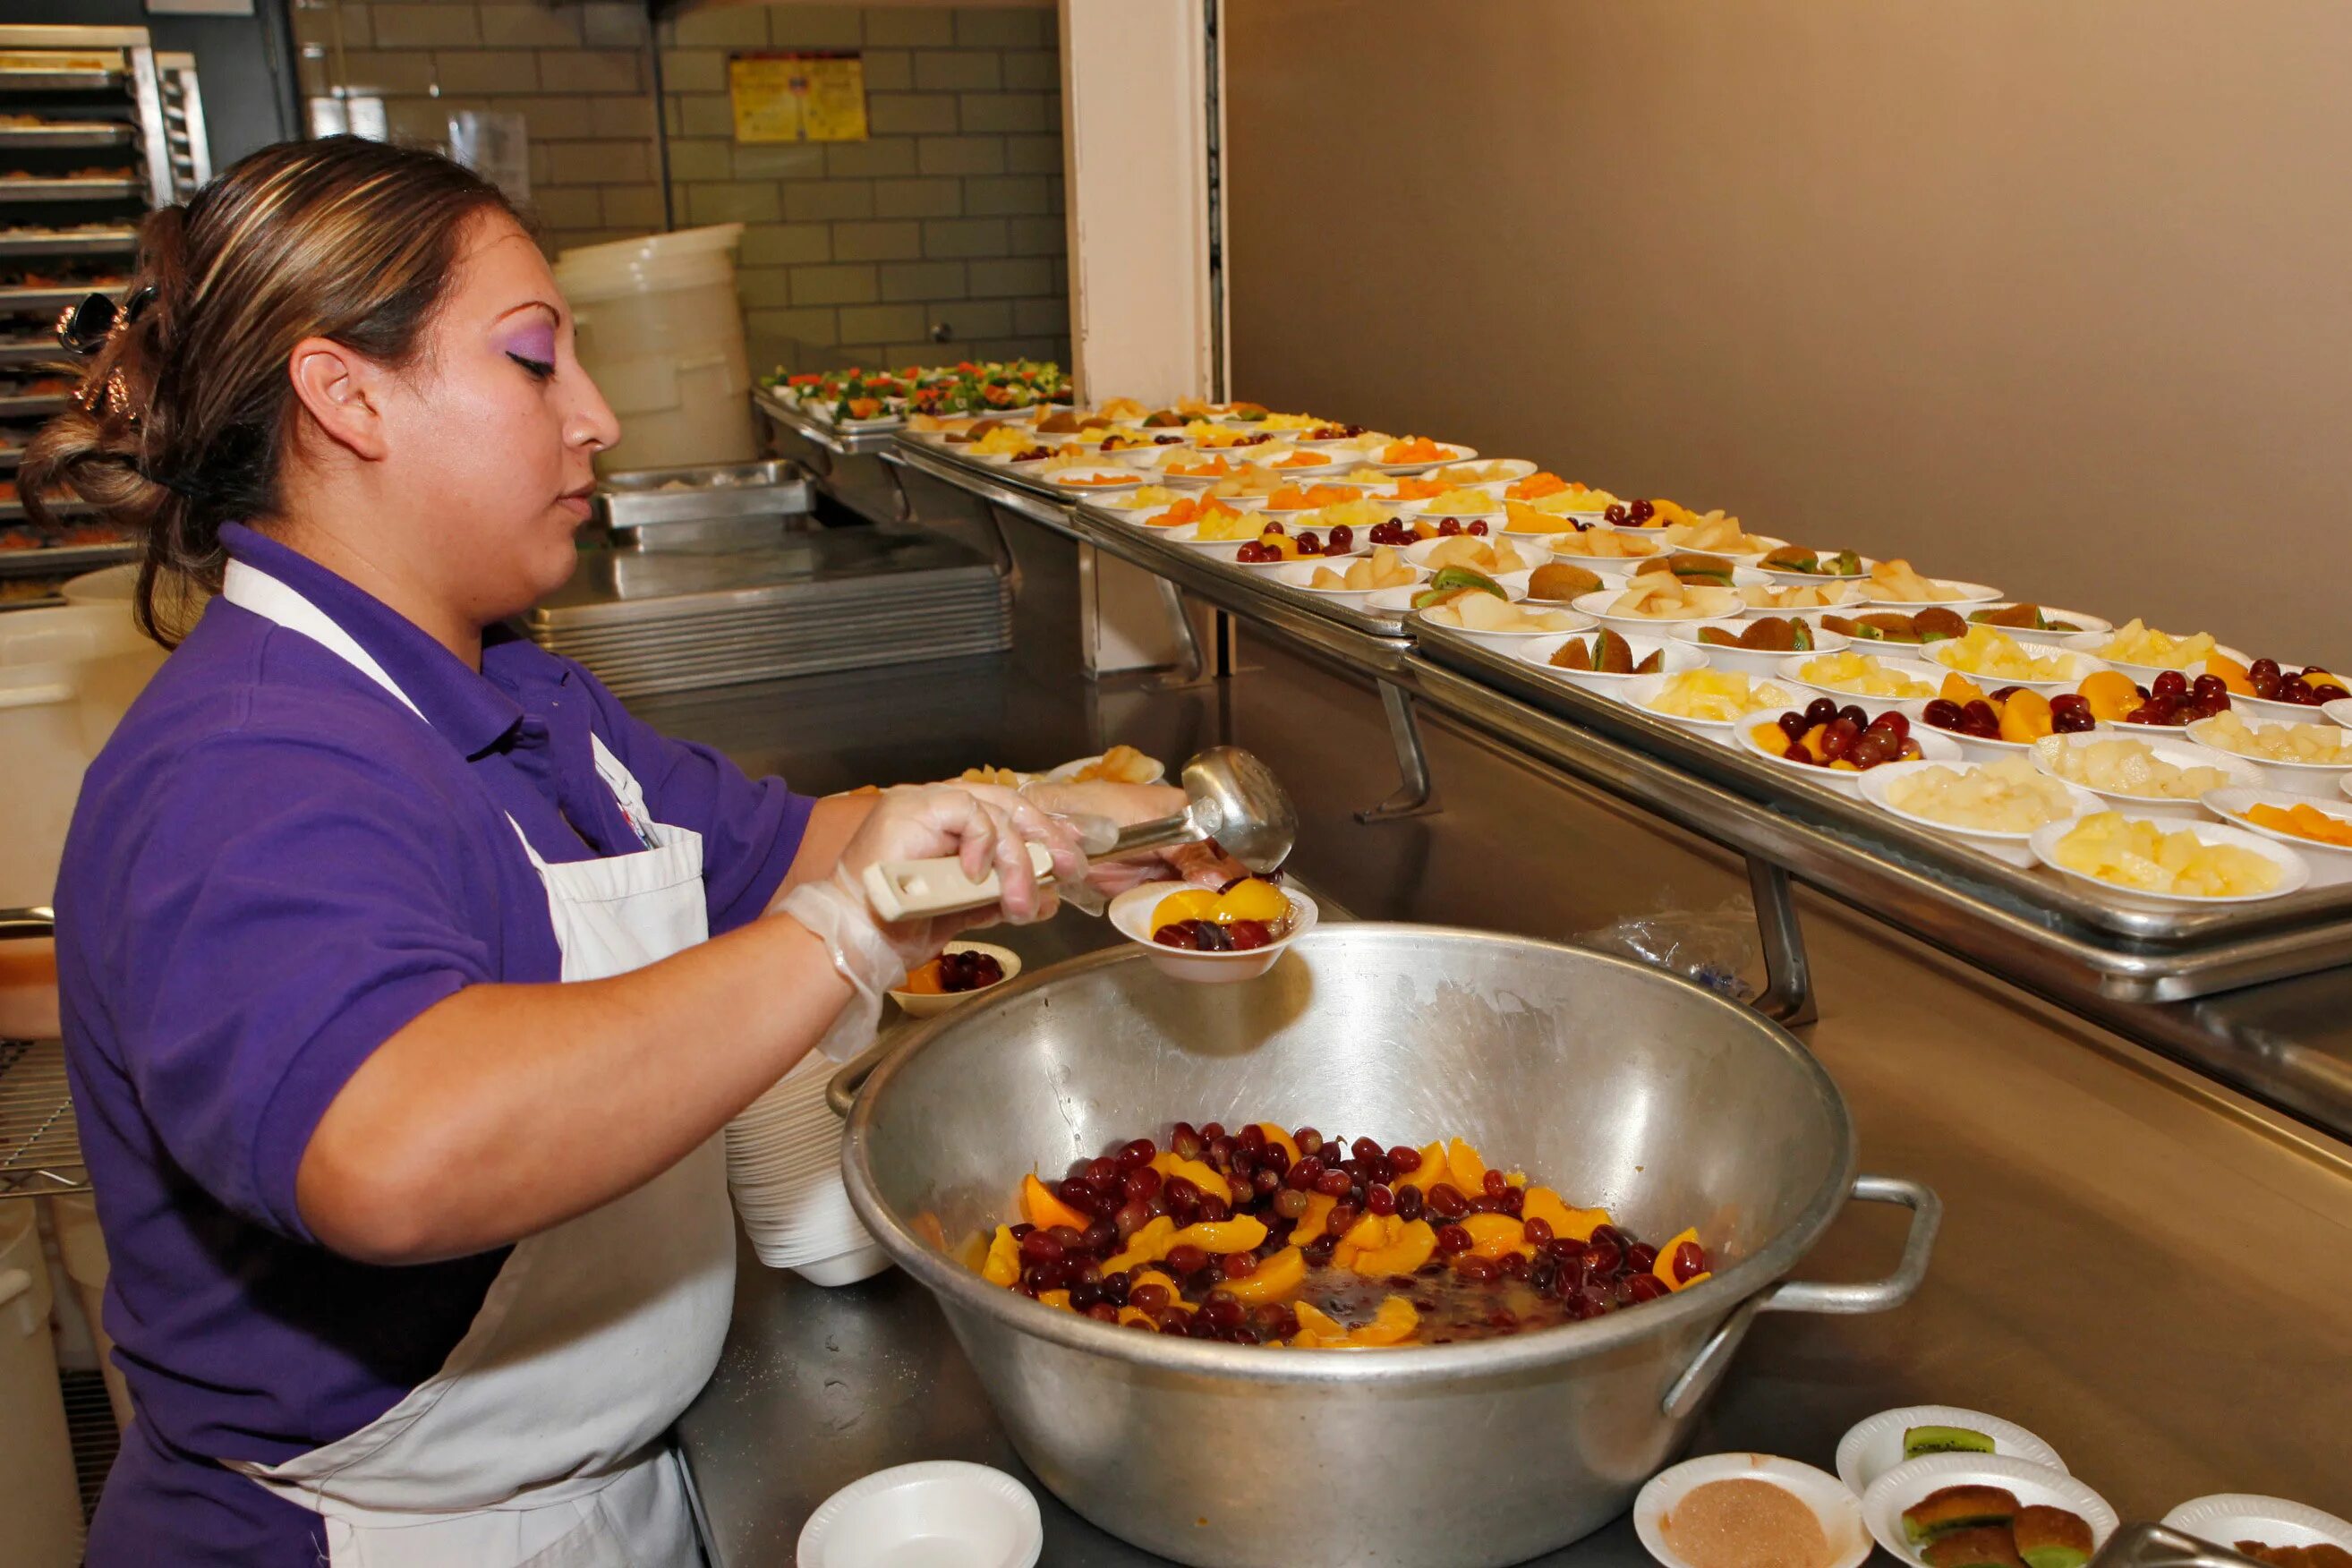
[185, 410]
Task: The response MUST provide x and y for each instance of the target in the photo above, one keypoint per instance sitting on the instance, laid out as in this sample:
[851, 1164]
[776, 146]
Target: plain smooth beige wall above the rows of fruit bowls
[2040, 295]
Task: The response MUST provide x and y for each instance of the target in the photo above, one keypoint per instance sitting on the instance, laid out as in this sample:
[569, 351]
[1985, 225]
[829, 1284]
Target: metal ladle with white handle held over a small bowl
[1229, 798]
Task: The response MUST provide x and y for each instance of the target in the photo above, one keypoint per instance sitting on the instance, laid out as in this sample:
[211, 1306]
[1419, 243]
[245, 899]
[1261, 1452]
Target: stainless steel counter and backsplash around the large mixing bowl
[2141, 1266]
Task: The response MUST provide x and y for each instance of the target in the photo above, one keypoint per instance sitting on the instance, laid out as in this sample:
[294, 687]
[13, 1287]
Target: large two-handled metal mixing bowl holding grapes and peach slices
[1603, 1078]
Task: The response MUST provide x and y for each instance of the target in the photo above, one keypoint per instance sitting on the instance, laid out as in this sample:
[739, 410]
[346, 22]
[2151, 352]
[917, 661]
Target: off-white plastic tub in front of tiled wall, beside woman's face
[662, 333]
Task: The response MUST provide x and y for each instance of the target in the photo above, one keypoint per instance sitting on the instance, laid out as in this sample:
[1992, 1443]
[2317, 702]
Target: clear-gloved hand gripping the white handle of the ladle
[982, 829]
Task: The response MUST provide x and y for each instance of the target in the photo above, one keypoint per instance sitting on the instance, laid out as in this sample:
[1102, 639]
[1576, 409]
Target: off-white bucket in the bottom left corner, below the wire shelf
[44, 1520]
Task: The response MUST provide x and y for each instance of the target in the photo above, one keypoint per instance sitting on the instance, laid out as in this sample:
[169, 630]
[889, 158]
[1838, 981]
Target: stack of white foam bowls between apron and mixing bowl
[784, 1170]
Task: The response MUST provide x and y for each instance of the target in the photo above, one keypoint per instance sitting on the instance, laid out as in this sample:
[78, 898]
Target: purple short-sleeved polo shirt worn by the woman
[274, 866]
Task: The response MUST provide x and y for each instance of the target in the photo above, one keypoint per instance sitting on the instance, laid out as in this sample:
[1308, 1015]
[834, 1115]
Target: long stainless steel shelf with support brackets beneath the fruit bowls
[2127, 967]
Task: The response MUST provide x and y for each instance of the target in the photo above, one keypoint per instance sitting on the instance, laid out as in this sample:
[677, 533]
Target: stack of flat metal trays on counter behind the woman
[799, 605]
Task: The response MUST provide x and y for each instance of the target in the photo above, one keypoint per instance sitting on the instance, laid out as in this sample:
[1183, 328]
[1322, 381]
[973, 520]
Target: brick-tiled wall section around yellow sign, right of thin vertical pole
[949, 215]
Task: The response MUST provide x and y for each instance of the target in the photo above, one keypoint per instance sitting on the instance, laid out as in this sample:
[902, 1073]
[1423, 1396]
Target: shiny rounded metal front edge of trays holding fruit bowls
[2024, 925]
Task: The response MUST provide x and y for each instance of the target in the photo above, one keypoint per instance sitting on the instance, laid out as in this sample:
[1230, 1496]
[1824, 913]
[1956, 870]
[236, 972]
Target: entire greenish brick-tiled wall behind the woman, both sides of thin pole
[949, 215]
